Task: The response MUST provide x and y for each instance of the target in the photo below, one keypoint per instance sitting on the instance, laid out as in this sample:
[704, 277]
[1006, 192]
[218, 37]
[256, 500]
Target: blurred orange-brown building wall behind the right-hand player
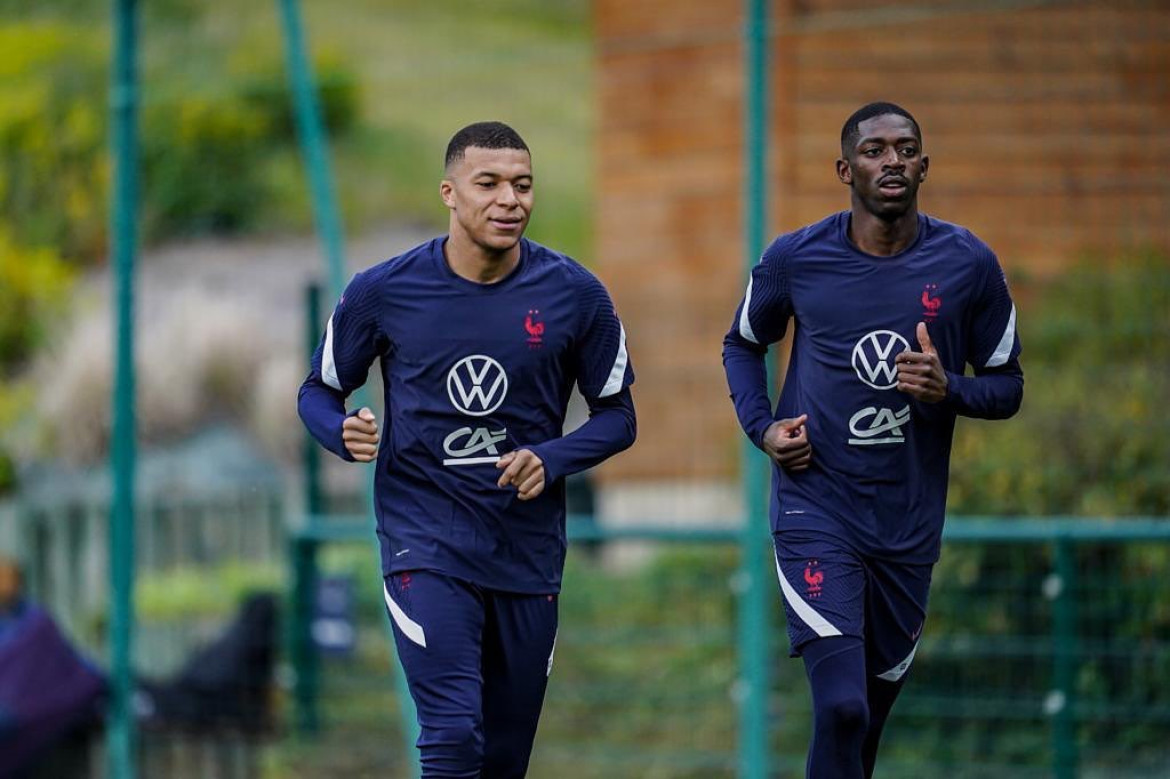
[1047, 125]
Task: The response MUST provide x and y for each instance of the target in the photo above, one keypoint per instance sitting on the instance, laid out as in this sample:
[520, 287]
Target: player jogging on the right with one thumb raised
[889, 306]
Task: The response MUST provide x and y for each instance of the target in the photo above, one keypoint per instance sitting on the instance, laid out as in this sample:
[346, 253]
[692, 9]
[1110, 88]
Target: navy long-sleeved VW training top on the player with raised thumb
[880, 458]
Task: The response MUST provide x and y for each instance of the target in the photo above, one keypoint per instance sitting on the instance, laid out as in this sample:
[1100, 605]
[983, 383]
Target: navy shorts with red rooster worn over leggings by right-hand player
[831, 590]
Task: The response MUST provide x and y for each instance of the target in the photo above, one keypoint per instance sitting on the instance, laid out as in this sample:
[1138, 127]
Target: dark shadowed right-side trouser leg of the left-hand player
[519, 642]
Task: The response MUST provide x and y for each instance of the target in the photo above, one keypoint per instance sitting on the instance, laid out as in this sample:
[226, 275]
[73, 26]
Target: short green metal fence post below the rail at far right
[1062, 704]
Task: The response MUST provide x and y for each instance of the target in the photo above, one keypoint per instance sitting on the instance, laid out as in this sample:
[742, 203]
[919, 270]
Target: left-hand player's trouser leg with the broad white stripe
[438, 630]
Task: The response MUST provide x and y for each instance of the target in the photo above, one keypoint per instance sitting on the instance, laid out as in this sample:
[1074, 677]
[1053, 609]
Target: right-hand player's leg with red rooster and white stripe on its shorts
[824, 588]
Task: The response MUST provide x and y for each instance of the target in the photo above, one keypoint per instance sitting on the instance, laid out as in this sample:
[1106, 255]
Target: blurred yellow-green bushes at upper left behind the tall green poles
[208, 156]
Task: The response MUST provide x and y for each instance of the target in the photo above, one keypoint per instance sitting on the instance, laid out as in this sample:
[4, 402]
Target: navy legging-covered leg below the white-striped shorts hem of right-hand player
[837, 677]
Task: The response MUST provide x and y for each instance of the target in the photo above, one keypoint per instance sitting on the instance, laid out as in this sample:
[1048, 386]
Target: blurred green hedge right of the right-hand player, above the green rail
[1091, 438]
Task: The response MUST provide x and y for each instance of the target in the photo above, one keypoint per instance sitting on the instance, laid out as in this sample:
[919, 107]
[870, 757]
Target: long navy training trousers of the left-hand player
[478, 663]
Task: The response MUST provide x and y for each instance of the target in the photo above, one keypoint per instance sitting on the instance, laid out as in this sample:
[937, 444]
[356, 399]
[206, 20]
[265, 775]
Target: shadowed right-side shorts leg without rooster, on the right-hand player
[896, 615]
